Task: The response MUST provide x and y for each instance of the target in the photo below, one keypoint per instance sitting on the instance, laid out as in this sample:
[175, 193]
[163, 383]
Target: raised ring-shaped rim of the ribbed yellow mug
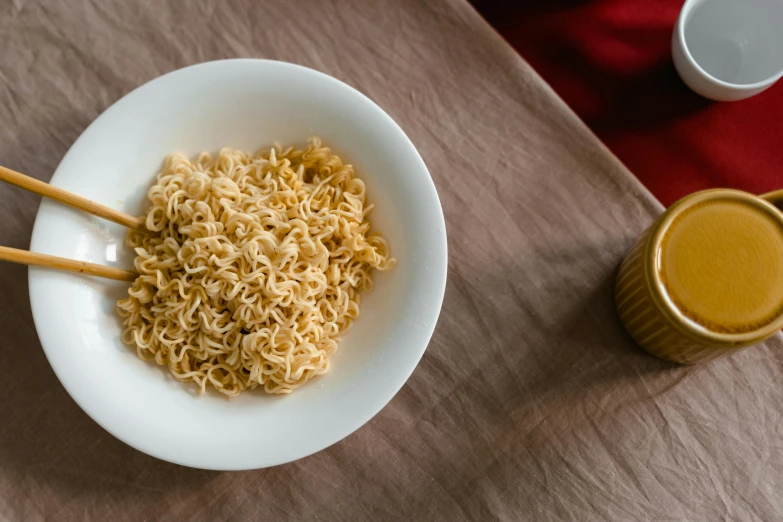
[685, 325]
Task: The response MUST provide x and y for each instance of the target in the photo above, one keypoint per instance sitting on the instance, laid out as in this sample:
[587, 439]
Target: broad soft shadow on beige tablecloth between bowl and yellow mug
[561, 361]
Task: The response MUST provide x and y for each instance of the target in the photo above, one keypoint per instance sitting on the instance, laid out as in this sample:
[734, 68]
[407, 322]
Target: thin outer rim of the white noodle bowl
[439, 277]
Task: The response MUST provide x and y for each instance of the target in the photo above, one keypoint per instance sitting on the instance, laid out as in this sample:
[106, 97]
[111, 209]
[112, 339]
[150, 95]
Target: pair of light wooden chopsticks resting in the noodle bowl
[72, 200]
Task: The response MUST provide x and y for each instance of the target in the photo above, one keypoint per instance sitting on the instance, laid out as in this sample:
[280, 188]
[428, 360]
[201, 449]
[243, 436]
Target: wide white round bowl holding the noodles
[243, 104]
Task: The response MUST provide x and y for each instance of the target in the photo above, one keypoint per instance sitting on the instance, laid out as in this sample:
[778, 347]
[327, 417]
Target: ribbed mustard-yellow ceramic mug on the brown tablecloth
[706, 279]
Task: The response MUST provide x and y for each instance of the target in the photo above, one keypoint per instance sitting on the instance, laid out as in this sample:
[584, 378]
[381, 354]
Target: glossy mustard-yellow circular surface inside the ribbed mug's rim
[721, 264]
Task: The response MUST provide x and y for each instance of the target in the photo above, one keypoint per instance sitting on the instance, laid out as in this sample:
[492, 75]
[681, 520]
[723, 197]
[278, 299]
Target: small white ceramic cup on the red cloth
[729, 50]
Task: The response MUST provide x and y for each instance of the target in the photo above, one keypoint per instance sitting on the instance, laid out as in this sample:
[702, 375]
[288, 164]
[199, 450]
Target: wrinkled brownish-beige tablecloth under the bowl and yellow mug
[531, 403]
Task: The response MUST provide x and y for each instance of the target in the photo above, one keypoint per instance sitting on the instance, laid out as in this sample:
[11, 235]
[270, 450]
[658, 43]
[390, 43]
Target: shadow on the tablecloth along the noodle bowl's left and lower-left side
[48, 440]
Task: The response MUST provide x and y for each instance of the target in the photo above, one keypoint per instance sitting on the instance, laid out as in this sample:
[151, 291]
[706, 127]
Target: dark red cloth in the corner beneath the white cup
[610, 61]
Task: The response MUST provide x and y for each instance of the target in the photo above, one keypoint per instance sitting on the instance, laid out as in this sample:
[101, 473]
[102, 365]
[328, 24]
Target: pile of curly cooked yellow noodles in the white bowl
[253, 269]
